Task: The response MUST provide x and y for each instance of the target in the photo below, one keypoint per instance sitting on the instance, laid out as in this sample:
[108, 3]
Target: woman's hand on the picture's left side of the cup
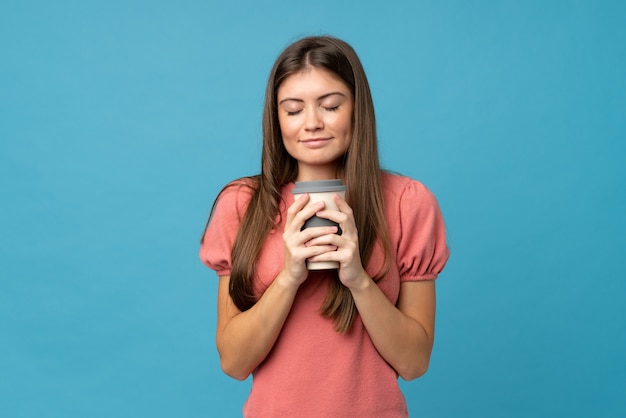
[295, 239]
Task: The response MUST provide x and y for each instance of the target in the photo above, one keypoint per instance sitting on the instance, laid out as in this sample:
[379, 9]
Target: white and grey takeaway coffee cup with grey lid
[321, 190]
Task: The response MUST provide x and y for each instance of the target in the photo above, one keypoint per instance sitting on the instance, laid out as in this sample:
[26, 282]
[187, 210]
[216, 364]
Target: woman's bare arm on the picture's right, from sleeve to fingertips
[402, 334]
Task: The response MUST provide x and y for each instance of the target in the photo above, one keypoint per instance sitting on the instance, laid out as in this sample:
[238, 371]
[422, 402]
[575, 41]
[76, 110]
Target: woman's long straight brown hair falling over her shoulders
[359, 169]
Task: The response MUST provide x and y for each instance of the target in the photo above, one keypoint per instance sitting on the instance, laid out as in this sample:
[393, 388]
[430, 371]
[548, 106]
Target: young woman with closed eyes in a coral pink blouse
[328, 343]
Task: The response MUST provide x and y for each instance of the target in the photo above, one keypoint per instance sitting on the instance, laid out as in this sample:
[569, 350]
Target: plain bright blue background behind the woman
[121, 120]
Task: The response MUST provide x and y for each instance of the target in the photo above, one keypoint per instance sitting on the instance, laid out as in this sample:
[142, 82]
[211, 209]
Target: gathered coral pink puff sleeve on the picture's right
[422, 251]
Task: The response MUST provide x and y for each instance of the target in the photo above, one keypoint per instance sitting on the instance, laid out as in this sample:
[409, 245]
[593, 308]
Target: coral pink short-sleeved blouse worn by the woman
[312, 371]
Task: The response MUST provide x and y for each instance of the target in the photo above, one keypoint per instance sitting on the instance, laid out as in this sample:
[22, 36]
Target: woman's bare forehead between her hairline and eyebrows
[311, 81]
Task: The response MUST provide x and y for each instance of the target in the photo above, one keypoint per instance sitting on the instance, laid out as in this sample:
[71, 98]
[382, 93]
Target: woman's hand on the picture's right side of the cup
[351, 271]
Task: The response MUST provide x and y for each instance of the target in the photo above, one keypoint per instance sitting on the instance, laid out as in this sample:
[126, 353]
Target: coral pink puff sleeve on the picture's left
[219, 237]
